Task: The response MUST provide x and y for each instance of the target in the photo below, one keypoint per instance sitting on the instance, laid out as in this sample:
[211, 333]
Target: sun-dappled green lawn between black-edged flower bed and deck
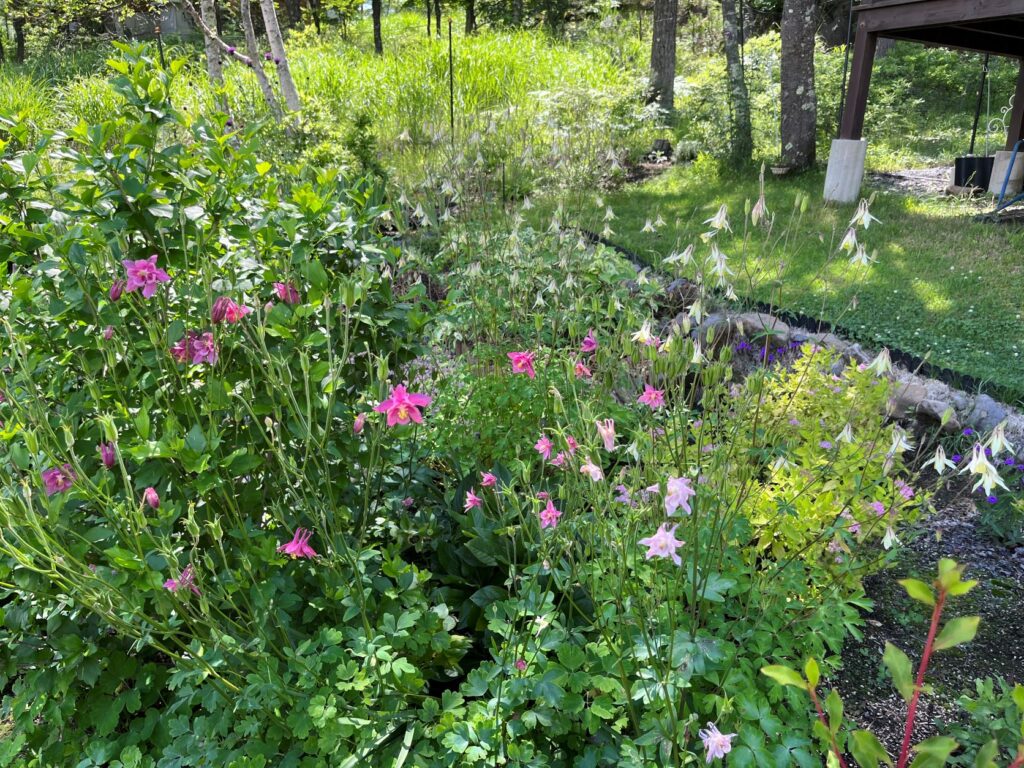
[944, 286]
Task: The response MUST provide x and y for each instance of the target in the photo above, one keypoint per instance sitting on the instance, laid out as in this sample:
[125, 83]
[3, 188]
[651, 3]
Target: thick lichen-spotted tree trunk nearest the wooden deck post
[799, 100]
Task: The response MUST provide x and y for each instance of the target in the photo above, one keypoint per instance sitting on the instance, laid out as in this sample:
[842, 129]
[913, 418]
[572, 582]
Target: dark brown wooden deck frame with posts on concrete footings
[995, 27]
